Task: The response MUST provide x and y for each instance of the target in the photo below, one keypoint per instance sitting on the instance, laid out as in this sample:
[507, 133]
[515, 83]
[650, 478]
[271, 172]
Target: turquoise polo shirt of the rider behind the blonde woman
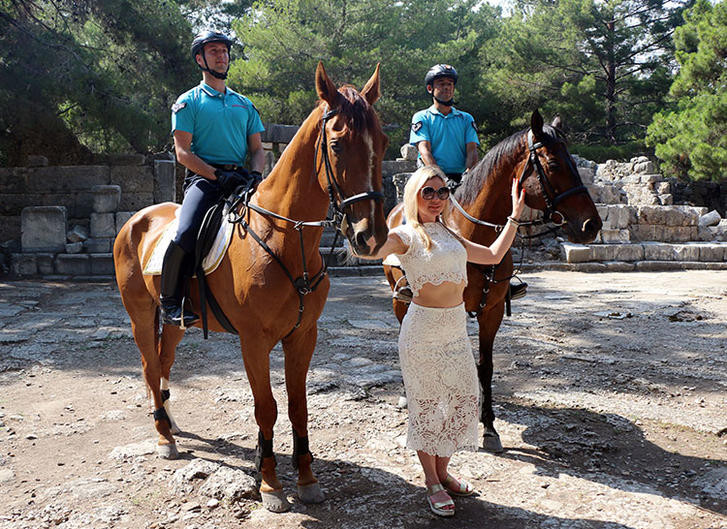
[448, 135]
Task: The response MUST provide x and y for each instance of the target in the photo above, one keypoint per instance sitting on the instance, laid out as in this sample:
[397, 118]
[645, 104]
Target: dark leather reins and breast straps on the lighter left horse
[306, 284]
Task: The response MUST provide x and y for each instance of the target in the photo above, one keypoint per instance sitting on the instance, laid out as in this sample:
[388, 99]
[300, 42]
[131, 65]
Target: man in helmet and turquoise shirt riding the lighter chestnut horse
[214, 129]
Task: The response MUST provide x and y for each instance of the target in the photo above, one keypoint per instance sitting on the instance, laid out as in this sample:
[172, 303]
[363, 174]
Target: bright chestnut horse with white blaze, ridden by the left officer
[335, 156]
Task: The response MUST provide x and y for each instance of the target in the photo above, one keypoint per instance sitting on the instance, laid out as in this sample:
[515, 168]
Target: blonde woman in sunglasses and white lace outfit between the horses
[440, 376]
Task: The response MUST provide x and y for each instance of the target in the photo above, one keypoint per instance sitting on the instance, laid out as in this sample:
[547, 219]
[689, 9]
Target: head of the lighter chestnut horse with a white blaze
[351, 151]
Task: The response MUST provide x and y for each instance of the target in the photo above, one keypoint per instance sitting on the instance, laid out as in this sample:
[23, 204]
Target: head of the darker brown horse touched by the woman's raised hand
[552, 183]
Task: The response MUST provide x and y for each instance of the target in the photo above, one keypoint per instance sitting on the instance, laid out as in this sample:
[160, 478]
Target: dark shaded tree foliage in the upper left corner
[94, 75]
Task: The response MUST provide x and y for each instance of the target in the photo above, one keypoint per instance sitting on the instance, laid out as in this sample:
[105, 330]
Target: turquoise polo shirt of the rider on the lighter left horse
[219, 123]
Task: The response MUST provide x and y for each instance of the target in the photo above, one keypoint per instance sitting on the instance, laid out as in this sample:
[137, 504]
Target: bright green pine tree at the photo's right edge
[690, 138]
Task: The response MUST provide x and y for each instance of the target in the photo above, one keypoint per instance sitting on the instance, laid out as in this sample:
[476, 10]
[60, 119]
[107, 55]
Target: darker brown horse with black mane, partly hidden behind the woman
[539, 157]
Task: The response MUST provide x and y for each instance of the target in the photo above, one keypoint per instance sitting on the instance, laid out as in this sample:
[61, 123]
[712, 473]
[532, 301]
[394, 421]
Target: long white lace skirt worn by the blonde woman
[440, 378]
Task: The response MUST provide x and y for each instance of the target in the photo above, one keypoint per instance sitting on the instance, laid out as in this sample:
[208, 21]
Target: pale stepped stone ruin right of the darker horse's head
[641, 221]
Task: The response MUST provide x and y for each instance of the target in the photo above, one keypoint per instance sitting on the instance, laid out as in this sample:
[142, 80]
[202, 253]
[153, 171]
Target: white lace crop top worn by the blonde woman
[445, 260]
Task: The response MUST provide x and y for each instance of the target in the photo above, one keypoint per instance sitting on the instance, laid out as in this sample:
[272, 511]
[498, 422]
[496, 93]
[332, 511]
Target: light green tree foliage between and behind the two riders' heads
[285, 39]
